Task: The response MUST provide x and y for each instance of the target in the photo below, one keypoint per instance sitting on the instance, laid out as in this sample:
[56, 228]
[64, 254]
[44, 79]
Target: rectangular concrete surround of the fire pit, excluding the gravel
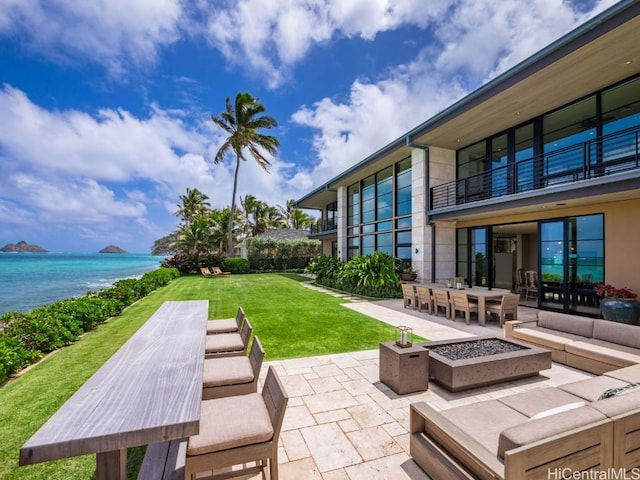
[463, 374]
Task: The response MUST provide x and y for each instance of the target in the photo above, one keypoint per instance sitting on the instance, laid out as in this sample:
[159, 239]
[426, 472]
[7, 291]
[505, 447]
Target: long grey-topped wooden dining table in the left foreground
[148, 392]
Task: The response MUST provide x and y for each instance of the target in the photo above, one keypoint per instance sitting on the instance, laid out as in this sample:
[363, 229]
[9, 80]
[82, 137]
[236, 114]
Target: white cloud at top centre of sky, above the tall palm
[274, 35]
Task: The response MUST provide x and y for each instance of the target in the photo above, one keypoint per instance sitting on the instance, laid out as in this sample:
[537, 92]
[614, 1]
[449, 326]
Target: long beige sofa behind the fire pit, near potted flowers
[589, 344]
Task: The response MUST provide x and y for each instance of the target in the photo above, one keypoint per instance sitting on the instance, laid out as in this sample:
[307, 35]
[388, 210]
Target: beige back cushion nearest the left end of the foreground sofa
[539, 429]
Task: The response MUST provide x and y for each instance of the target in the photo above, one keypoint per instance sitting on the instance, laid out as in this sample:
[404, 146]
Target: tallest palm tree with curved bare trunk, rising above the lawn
[242, 121]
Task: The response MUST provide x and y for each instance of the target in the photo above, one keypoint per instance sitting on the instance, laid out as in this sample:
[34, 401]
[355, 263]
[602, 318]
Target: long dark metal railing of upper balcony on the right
[600, 157]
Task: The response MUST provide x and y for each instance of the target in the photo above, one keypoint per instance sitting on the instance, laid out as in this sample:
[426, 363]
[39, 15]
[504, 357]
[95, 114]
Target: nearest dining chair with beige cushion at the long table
[236, 431]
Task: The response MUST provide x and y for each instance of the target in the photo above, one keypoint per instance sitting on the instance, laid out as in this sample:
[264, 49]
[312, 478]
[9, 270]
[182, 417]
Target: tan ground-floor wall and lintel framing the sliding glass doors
[621, 230]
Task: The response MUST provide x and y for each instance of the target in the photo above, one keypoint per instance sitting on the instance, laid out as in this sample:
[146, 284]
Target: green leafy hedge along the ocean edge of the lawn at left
[26, 337]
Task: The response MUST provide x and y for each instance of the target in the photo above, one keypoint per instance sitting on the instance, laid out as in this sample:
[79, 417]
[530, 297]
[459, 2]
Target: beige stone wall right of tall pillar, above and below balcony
[442, 169]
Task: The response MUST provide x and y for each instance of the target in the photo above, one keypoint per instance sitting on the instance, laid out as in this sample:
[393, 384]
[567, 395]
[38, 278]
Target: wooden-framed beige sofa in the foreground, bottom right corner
[552, 432]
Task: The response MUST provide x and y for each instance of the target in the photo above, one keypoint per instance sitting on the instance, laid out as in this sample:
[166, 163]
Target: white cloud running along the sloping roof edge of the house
[478, 39]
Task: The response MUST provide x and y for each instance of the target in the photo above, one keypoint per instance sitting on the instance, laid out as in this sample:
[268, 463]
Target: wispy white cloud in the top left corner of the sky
[115, 33]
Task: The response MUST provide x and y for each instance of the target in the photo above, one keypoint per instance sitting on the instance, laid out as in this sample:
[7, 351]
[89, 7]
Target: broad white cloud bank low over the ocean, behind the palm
[74, 168]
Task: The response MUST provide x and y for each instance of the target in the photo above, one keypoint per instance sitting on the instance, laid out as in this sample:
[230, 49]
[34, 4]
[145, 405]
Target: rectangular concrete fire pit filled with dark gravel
[474, 362]
